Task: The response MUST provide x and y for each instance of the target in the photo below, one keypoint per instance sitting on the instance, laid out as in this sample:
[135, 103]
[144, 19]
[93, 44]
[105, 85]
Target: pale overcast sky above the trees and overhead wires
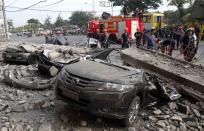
[20, 18]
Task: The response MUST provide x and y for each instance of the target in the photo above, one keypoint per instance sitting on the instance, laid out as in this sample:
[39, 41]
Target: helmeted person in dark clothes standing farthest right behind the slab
[188, 45]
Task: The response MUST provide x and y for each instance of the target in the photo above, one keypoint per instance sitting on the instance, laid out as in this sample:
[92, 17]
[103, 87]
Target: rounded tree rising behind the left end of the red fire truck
[80, 18]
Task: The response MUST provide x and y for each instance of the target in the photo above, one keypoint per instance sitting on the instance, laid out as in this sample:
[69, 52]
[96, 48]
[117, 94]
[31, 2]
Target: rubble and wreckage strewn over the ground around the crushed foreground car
[180, 113]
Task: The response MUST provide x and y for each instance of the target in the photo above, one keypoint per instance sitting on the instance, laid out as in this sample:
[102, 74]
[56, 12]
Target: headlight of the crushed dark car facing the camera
[115, 87]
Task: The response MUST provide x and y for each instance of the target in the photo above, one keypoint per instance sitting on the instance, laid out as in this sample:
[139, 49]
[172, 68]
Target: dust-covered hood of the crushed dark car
[104, 72]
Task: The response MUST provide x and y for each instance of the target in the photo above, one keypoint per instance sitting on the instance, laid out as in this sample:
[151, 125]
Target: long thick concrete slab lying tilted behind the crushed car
[182, 72]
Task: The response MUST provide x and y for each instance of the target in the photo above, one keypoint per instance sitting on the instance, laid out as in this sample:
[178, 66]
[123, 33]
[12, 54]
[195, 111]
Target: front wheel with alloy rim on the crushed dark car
[132, 112]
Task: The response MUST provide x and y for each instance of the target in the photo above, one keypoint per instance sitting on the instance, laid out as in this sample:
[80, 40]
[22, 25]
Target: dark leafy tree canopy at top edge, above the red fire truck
[141, 4]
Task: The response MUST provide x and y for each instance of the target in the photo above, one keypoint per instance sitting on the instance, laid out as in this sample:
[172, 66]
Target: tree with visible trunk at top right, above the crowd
[180, 6]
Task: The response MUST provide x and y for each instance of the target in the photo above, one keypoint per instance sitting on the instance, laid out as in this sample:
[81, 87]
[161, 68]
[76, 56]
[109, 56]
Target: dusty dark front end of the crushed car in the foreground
[104, 89]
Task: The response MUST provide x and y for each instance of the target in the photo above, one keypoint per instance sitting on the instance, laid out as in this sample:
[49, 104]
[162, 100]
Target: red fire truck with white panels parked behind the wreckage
[115, 26]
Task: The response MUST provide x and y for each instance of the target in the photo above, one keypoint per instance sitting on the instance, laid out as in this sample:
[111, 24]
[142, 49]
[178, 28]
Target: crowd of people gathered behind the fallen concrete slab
[167, 40]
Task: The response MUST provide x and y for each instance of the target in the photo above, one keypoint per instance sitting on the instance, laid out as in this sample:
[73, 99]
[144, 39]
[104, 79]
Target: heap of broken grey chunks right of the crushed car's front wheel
[179, 115]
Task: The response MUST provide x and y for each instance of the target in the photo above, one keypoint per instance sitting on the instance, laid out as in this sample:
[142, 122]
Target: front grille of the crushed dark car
[81, 82]
